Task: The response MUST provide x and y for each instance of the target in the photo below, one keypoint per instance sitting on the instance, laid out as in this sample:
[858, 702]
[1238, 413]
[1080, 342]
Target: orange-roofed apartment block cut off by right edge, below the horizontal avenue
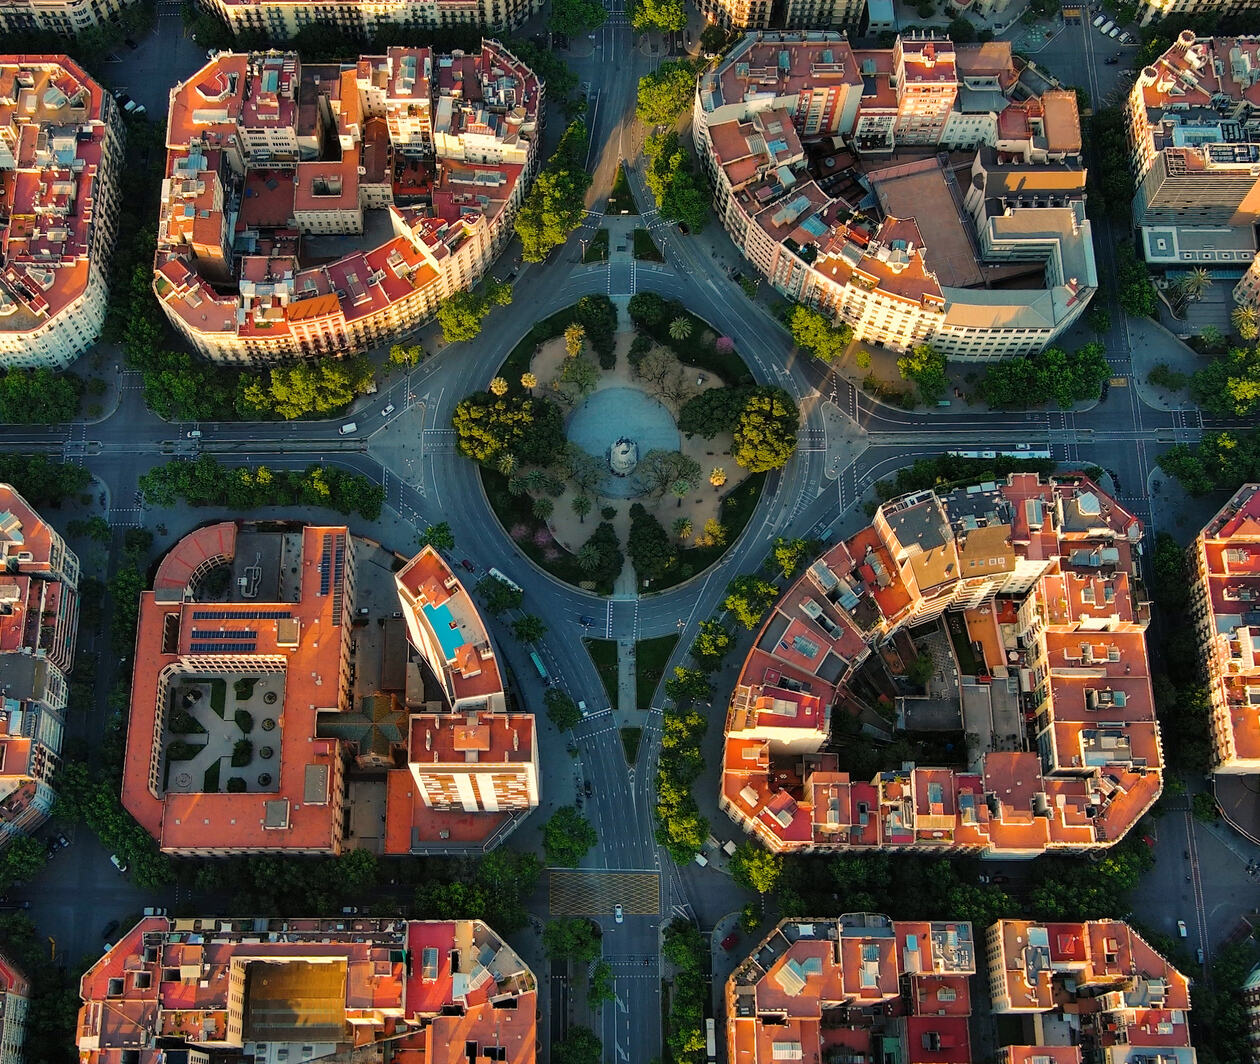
[1225, 606]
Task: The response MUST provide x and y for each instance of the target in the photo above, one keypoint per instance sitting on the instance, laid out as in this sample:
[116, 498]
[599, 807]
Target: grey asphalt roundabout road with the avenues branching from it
[411, 453]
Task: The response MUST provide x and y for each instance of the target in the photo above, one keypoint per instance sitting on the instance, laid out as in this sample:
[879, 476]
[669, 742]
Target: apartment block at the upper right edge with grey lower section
[1191, 129]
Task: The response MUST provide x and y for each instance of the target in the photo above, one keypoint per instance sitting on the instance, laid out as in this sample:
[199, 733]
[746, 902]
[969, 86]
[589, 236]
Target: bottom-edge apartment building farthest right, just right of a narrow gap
[1098, 986]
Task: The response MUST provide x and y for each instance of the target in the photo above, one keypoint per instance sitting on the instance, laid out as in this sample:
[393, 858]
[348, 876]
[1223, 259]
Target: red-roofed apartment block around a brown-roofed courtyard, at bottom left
[302, 990]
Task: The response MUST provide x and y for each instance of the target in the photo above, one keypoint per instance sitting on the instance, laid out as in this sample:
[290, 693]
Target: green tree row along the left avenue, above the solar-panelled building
[205, 482]
